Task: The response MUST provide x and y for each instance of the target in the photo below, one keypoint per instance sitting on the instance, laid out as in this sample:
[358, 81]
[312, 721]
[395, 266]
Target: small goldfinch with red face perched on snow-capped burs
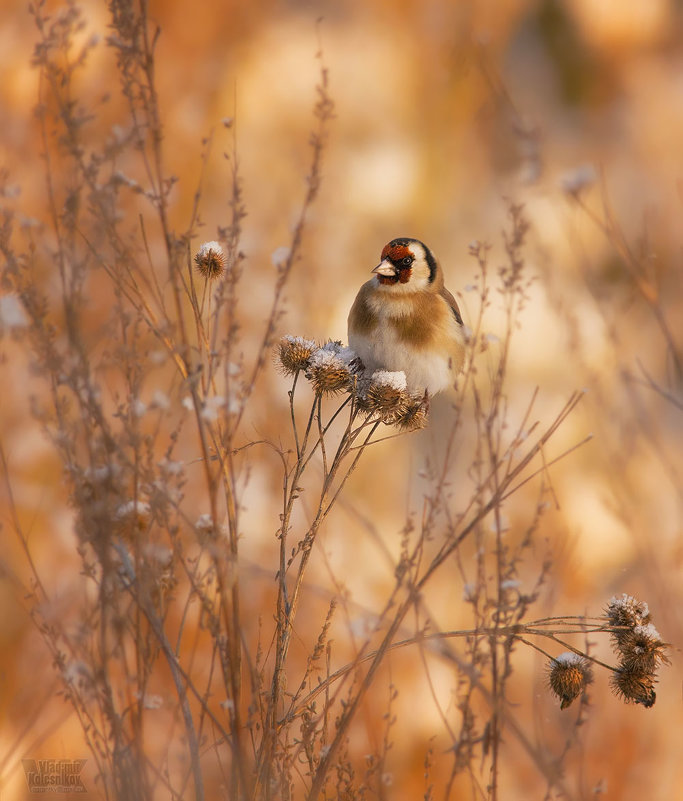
[404, 319]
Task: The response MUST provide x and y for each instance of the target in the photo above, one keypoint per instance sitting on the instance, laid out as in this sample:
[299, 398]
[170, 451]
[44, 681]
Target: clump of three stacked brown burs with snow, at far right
[639, 647]
